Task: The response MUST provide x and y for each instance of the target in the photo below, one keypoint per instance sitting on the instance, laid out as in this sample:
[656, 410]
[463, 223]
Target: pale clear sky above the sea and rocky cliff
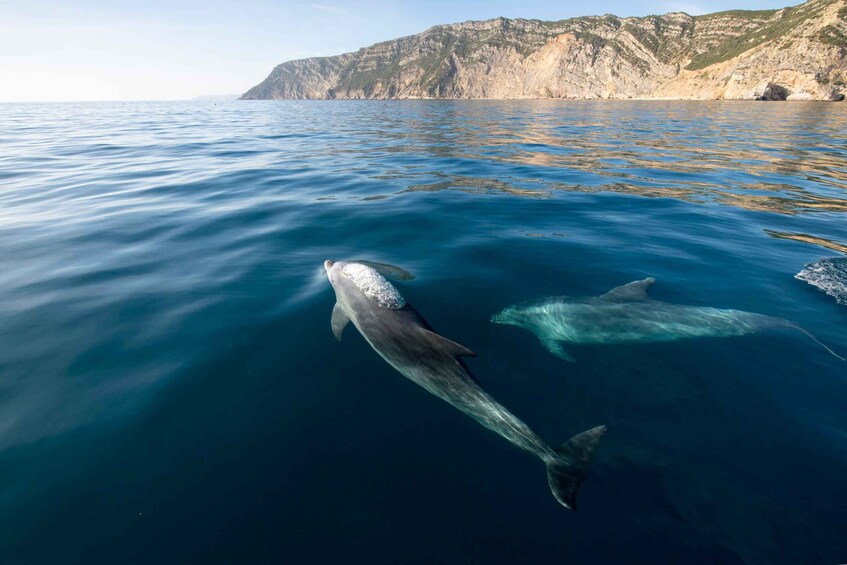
[176, 49]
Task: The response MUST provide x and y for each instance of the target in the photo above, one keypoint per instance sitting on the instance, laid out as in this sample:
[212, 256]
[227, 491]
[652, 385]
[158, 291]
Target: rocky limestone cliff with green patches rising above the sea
[795, 53]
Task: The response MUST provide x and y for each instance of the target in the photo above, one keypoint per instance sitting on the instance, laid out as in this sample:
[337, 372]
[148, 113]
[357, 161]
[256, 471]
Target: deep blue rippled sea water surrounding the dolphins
[170, 390]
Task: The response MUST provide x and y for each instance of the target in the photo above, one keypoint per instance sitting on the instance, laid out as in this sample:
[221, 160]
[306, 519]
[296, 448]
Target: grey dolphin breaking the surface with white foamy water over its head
[400, 335]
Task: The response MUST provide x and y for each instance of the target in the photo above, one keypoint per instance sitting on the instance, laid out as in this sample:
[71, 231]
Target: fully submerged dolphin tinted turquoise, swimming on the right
[627, 315]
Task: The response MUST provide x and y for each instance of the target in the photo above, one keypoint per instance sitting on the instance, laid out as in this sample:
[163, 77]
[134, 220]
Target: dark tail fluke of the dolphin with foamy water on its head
[566, 471]
